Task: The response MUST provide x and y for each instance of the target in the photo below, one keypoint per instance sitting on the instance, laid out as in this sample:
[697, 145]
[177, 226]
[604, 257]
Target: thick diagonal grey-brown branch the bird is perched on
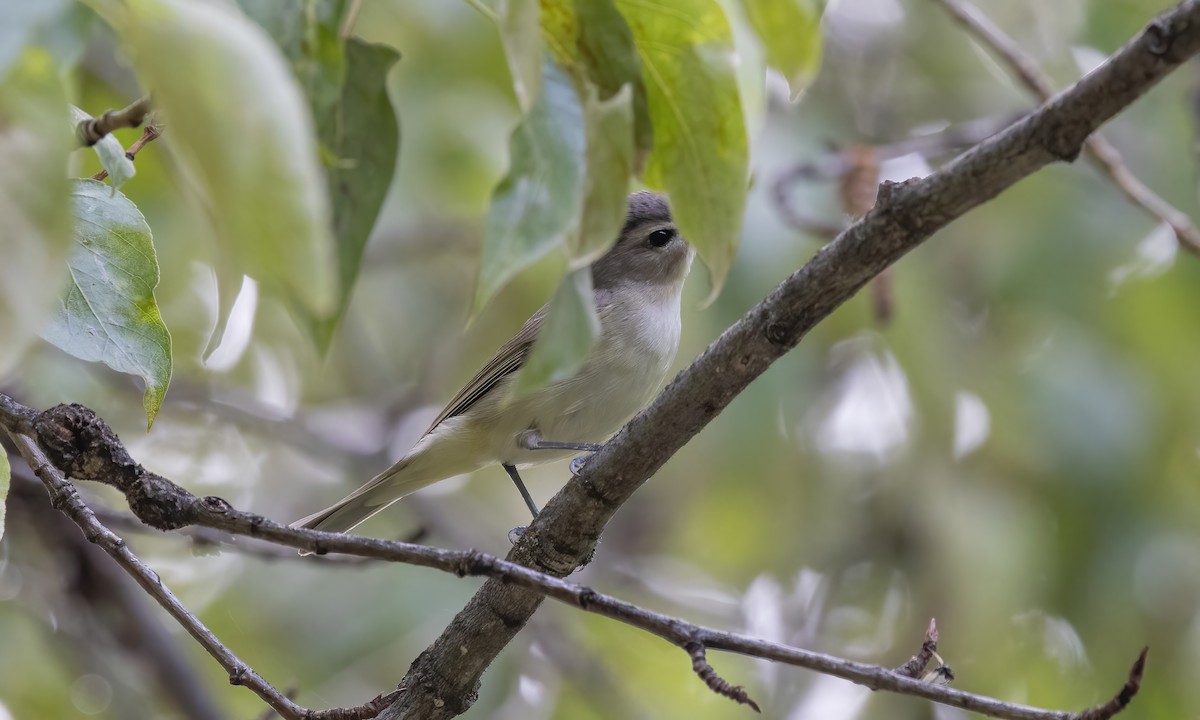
[443, 681]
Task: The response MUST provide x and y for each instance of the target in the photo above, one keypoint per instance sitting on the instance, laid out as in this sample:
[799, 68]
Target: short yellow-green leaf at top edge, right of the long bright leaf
[790, 31]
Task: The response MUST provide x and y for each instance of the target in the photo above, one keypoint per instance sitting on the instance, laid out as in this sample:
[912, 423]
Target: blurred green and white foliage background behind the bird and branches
[1017, 453]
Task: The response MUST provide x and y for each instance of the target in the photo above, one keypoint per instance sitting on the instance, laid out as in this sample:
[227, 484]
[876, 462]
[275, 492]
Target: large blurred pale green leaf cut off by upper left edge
[35, 143]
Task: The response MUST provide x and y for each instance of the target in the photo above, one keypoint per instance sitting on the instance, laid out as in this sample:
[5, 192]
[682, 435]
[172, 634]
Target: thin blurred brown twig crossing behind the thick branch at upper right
[1100, 152]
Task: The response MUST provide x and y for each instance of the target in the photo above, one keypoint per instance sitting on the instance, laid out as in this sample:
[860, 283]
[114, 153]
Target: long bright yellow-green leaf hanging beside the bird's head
[701, 155]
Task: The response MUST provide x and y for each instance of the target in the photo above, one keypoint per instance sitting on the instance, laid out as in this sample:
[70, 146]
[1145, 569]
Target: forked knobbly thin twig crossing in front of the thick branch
[71, 441]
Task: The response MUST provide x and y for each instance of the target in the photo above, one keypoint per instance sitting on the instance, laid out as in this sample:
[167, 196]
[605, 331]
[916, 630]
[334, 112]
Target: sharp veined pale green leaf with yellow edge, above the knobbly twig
[109, 313]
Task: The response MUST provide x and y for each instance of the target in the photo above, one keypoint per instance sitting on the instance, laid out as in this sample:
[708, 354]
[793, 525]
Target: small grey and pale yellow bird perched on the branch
[638, 289]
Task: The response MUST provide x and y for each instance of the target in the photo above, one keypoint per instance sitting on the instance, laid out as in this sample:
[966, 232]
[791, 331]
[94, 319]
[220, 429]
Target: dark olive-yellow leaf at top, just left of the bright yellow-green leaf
[592, 43]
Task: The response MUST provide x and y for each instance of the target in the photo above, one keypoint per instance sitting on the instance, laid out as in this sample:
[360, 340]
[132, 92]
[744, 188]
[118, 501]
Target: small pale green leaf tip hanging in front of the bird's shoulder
[566, 339]
